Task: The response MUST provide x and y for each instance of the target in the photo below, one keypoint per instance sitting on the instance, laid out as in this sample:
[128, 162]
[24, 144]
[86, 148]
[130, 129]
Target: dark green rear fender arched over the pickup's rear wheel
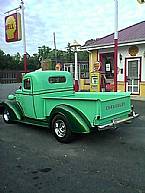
[77, 120]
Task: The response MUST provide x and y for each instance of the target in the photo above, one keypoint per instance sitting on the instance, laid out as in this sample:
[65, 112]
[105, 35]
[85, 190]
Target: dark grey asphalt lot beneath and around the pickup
[32, 161]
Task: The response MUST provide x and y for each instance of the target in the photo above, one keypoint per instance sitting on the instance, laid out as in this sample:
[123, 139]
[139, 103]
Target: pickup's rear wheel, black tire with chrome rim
[61, 129]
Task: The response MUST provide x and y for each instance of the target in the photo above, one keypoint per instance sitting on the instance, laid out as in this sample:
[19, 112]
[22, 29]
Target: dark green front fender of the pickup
[14, 107]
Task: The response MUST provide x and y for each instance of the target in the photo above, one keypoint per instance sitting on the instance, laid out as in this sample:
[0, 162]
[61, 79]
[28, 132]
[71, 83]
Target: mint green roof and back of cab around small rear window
[44, 80]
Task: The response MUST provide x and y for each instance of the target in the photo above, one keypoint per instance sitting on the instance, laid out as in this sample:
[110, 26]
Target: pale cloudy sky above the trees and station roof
[71, 20]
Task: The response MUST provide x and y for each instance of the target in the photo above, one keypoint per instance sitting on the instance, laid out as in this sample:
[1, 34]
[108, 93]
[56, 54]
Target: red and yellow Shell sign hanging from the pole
[13, 31]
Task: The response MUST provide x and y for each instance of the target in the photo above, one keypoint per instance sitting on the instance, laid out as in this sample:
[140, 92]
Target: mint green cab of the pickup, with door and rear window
[37, 85]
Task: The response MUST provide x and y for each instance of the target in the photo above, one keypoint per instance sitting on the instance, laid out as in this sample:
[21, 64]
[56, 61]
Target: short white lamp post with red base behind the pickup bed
[75, 46]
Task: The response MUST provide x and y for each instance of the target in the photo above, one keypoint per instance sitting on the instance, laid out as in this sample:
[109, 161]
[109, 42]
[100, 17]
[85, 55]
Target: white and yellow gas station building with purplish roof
[131, 61]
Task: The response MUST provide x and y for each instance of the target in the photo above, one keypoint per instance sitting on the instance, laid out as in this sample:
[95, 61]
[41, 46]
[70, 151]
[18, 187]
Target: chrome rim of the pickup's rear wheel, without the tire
[60, 128]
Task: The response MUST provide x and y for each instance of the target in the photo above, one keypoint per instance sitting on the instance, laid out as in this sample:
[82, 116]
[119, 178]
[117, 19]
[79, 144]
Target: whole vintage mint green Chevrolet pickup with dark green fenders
[47, 98]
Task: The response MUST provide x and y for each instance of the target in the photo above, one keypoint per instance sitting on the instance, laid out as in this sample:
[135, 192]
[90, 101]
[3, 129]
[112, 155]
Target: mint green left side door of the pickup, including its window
[27, 98]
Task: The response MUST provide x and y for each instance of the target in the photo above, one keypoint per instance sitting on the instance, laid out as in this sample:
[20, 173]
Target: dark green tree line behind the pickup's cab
[33, 62]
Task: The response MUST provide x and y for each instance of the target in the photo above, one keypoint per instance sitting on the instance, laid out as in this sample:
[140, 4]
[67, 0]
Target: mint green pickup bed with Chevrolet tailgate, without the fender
[100, 108]
